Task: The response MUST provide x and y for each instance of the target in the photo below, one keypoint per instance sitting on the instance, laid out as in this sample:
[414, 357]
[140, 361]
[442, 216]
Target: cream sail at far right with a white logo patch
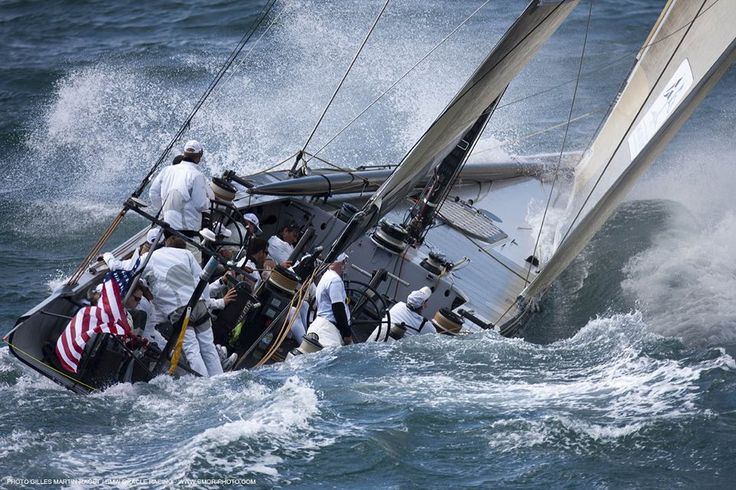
[689, 49]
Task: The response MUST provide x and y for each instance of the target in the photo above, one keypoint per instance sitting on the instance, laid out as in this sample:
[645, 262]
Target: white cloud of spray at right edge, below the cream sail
[686, 281]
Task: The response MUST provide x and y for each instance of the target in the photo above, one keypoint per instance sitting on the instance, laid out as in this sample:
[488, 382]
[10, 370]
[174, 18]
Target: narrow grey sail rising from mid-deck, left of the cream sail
[523, 39]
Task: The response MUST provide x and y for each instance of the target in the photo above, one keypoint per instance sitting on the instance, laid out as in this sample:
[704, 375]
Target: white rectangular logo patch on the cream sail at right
[661, 109]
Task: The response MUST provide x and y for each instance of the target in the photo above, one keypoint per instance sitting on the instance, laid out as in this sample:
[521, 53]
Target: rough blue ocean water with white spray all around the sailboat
[625, 379]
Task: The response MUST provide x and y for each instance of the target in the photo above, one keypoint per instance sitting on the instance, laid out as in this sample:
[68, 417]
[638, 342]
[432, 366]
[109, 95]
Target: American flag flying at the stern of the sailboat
[107, 317]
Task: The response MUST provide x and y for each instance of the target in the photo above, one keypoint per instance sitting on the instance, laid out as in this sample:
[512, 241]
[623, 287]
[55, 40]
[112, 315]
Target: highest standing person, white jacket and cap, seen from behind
[182, 193]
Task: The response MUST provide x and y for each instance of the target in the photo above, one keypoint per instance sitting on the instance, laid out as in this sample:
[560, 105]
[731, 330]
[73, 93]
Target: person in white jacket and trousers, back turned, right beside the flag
[172, 275]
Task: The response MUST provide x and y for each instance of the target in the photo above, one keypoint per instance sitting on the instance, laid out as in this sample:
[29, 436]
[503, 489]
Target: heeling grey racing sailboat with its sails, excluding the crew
[484, 267]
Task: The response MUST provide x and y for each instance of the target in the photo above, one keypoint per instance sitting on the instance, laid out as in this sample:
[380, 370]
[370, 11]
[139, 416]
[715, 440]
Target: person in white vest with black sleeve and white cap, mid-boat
[332, 324]
